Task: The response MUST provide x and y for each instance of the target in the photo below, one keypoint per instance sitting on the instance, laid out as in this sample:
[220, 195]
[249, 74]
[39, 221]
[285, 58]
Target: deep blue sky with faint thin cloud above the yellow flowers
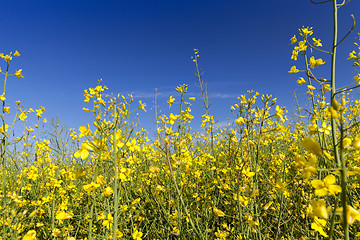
[137, 46]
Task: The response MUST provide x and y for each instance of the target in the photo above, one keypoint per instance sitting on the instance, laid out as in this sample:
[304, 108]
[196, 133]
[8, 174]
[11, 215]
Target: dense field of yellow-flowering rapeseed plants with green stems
[261, 177]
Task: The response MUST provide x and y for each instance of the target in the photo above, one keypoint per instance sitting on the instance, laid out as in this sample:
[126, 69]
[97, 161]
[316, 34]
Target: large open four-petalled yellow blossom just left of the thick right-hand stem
[326, 186]
